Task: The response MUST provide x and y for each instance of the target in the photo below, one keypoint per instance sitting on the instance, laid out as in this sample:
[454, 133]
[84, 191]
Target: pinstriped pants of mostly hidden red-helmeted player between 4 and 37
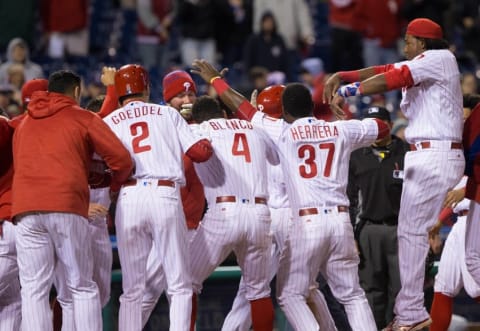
[239, 318]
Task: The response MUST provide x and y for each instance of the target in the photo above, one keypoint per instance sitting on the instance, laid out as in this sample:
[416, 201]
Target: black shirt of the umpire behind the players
[375, 182]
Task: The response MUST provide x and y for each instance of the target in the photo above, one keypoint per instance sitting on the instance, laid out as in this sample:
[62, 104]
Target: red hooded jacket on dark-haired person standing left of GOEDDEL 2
[52, 151]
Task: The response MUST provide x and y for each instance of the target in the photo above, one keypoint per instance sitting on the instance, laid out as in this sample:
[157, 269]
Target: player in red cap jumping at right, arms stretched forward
[432, 103]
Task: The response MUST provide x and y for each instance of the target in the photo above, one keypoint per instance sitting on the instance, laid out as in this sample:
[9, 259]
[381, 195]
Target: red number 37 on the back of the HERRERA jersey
[308, 153]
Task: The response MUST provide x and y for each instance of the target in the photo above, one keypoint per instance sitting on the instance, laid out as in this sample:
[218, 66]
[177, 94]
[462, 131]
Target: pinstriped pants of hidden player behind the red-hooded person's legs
[102, 272]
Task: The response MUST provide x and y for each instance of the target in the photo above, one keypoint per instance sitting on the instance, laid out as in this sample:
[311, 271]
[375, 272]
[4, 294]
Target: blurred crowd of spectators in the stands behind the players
[262, 42]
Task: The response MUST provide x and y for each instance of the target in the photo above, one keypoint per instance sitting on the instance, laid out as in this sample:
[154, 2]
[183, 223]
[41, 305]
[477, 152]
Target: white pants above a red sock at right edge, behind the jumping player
[452, 273]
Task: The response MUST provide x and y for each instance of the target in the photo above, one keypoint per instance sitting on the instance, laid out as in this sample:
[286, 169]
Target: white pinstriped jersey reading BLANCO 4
[239, 163]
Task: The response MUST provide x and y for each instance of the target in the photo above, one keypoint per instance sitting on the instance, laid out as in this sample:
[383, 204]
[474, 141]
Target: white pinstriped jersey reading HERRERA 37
[315, 154]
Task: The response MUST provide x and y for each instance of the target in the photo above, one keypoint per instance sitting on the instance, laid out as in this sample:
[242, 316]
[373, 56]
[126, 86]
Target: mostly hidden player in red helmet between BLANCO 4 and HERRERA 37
[269, 102]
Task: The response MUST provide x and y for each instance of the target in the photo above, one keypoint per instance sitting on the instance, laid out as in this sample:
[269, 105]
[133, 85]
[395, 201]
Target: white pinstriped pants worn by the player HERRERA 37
[321, 243]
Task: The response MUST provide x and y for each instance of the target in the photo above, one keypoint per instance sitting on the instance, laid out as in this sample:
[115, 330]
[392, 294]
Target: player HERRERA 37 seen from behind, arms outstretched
[320, 221]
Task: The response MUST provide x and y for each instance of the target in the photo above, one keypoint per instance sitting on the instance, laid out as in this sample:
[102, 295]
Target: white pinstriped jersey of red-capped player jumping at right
[433, 105]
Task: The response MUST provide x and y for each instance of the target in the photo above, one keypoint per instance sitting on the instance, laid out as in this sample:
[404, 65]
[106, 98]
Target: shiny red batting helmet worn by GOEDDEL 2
[131, 79]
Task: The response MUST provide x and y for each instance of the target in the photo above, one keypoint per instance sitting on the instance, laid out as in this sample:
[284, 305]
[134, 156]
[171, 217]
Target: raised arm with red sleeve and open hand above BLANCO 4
[232, 99]
